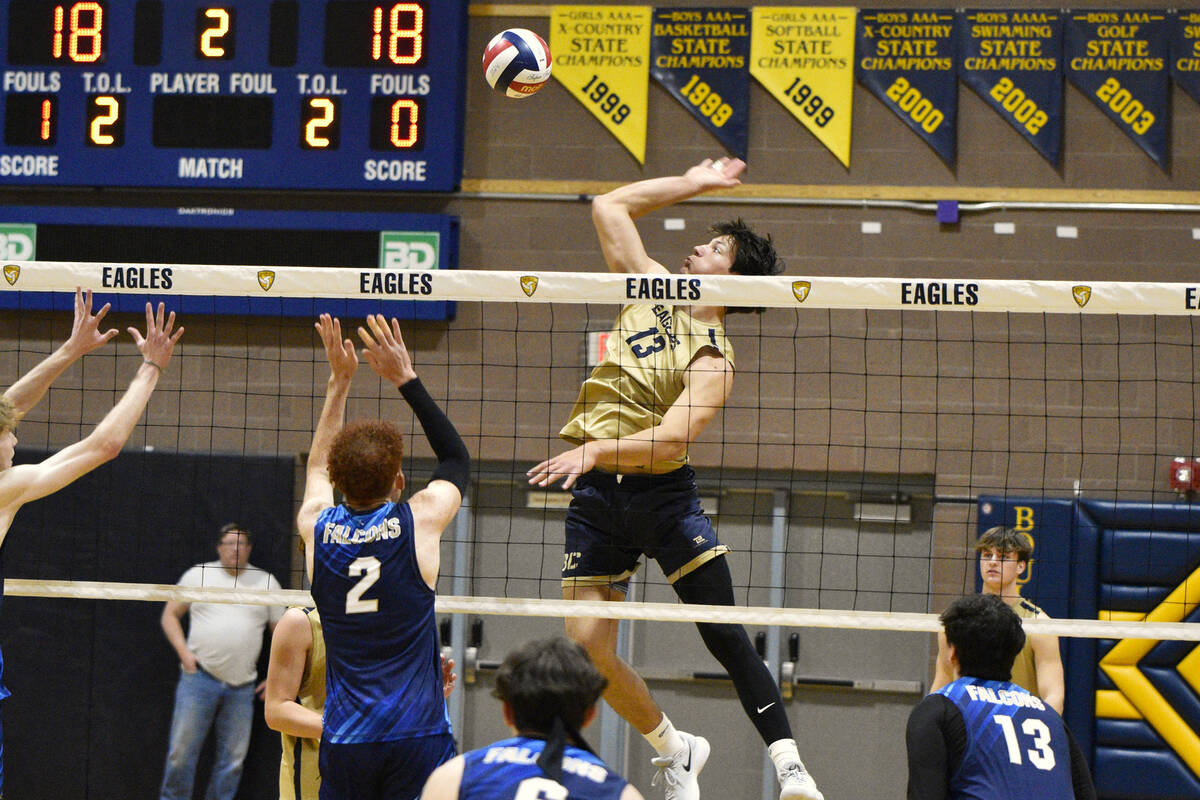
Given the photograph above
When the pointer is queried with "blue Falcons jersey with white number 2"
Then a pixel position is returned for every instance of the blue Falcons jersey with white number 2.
(383, 672)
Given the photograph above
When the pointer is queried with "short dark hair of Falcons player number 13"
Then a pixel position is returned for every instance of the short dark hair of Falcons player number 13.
(987, 636)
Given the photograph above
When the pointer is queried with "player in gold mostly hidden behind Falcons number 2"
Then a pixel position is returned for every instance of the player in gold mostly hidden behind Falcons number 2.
(296, 699)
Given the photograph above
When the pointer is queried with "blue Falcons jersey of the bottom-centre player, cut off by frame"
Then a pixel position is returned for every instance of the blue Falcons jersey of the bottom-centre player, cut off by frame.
(509, 769)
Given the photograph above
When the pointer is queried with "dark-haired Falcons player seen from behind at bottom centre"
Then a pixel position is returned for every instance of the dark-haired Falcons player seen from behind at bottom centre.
(549, 690)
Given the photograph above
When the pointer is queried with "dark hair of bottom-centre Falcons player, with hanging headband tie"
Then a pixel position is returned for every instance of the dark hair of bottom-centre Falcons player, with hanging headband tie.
(550, 684)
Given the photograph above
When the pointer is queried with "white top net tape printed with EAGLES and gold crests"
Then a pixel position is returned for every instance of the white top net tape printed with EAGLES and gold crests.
(490, 286)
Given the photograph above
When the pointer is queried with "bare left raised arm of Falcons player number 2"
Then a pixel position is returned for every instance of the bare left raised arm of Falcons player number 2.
(319, 491)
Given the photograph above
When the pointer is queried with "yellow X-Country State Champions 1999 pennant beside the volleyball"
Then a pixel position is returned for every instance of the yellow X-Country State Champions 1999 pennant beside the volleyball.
(602, 55)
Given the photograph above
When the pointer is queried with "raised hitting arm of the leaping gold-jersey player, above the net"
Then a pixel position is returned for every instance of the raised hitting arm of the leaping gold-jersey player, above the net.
(614, 214)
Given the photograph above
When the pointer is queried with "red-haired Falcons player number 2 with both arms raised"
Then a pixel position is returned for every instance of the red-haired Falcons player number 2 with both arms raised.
(374, 564)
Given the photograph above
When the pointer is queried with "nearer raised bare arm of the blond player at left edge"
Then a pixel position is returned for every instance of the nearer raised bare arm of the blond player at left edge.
(28, 483)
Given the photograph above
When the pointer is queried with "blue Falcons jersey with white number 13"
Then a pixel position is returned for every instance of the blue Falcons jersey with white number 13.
(1017, 745)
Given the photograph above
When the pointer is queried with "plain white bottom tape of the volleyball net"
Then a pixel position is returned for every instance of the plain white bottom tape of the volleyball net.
(631, 611)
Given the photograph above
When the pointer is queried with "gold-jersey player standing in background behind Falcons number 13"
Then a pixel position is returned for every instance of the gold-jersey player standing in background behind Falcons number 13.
(1004, 557)
